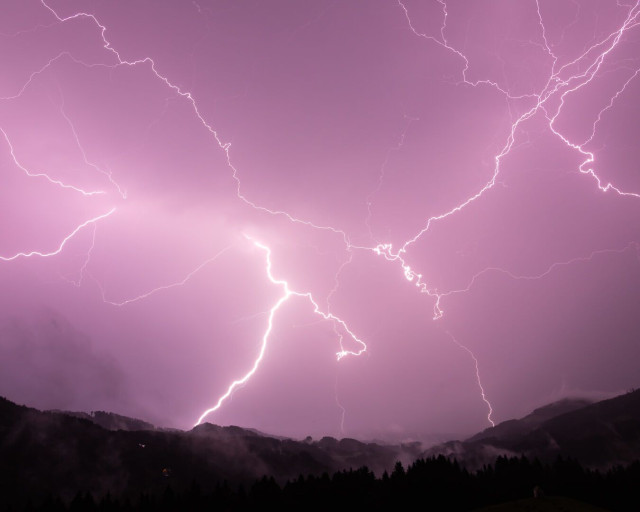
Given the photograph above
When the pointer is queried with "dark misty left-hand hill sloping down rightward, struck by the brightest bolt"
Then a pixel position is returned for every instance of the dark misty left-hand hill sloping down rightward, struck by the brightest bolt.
(63, 453)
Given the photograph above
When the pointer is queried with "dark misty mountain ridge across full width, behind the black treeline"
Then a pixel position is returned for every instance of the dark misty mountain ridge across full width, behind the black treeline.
(58, 453)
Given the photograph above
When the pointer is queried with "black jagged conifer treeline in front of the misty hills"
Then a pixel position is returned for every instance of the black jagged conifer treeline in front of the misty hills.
(436, 483)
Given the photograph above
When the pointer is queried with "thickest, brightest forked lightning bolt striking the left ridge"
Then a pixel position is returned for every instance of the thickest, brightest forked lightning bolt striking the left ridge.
(287, 293)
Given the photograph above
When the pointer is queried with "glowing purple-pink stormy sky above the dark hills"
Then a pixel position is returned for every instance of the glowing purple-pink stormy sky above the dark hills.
(154, 153)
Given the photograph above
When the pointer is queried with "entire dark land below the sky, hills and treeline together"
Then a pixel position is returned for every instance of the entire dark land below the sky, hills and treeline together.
(71, 461)
